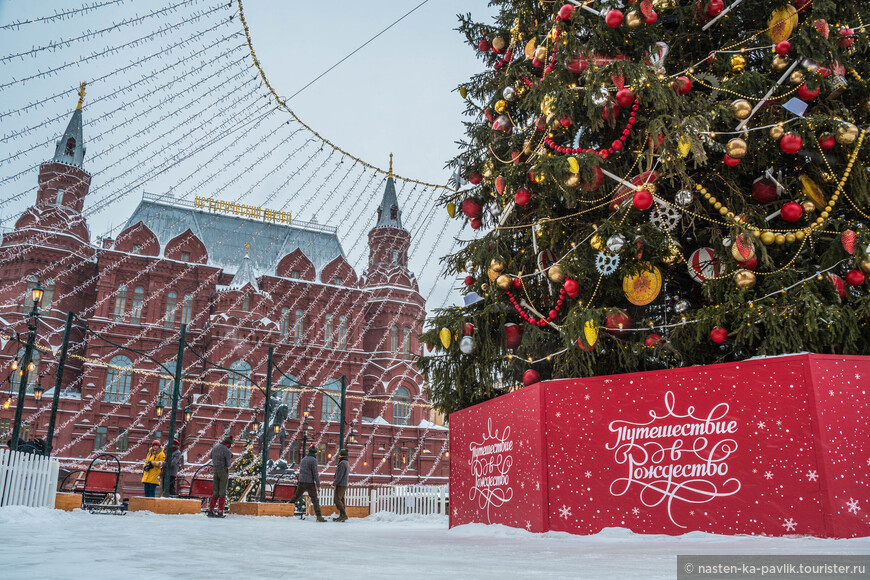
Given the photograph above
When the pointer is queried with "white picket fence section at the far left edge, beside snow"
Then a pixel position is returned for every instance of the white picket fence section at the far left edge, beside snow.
(27, 479)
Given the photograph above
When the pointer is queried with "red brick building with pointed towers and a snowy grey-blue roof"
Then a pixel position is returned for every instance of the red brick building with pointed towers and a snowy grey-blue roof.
(240, 285)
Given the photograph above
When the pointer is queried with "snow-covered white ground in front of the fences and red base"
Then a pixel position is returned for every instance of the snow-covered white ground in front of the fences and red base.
(44, 543)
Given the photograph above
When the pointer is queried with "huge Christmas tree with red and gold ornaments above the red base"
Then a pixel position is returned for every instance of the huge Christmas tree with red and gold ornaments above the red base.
(657, 184)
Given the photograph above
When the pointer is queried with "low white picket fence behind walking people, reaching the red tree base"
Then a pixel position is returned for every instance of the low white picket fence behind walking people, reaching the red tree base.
(399, 499)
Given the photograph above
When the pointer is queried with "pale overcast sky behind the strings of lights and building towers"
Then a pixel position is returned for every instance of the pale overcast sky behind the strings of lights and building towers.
(154, 126)
